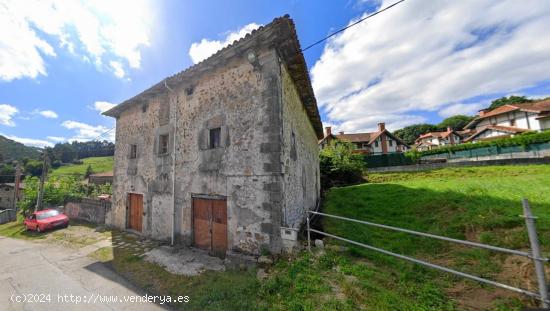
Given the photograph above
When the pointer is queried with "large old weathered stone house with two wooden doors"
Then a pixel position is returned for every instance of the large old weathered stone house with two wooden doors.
(222, 155)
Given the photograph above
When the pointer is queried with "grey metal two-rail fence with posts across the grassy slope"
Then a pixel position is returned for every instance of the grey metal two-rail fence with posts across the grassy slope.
(534, 254)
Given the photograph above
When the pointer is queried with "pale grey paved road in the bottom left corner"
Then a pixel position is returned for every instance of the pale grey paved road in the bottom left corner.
(40, 268)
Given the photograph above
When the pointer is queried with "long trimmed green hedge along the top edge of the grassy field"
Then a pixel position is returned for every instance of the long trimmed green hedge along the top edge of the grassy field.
(523, 140)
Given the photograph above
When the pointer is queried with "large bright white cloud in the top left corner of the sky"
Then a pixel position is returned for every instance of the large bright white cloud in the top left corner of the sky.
(99, 31)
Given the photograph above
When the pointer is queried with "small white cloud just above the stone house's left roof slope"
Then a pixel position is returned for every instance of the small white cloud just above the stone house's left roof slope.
(203, 49)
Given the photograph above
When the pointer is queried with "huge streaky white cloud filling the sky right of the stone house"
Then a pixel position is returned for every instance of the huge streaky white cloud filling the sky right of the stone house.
(431, 56)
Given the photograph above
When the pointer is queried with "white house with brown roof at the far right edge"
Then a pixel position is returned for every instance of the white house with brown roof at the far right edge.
(509, 120)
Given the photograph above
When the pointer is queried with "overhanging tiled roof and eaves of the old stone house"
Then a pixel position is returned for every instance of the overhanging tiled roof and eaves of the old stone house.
(281, 34)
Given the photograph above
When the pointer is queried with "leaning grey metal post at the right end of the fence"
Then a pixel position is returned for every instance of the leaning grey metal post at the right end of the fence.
(535, 252)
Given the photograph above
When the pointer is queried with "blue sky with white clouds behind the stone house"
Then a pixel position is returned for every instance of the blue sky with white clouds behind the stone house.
(60, 64)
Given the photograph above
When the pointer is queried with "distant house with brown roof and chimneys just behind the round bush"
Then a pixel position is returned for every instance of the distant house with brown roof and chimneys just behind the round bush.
(379, 142)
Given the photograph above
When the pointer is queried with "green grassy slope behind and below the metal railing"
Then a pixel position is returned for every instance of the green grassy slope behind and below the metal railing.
(478, 204)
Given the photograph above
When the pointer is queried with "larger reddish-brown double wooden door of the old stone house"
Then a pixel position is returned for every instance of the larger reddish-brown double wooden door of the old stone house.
(210, 225)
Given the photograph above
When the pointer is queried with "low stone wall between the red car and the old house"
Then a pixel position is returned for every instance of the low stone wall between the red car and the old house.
(89, 210)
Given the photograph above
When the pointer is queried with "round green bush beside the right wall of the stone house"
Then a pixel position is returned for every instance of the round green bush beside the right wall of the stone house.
(340, 166)
